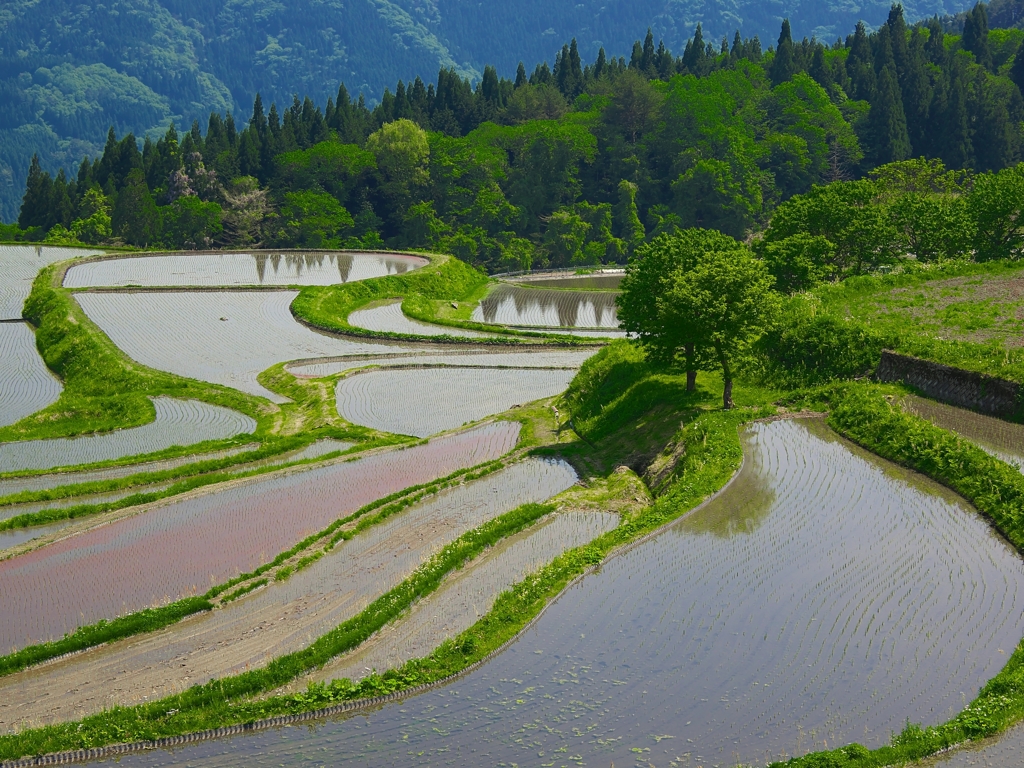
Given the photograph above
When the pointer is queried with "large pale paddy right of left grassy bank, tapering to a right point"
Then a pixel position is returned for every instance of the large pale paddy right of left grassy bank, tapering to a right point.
(221, 337)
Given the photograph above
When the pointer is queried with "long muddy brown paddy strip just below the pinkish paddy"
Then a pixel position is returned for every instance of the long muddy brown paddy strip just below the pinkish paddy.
(283, 617)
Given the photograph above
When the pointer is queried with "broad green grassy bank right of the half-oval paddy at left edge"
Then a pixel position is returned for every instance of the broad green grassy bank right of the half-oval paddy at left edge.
(103, 389)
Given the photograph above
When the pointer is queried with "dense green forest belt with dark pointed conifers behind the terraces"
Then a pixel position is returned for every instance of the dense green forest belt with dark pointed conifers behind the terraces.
(579, 164)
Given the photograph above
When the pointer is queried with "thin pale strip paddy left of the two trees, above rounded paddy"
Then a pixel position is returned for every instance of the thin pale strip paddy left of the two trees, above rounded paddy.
(569, 359)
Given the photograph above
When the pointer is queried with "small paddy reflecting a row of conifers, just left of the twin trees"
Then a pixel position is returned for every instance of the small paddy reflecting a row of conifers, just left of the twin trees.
(513, 306)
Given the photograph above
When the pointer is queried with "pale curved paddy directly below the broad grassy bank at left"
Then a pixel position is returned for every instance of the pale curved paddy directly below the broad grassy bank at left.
(178, 423)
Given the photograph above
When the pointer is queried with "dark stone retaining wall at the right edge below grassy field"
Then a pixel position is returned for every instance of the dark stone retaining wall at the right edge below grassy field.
(979, 393)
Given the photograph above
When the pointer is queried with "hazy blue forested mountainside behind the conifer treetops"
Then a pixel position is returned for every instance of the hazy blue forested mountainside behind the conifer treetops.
(69, 71)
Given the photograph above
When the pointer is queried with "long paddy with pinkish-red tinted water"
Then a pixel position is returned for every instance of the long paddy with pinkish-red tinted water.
(183, 547)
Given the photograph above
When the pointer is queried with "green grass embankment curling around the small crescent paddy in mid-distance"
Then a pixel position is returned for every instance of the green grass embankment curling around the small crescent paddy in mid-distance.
(445, 280)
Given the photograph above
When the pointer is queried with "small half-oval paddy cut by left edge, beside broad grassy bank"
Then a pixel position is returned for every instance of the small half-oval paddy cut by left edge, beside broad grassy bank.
(26, 383)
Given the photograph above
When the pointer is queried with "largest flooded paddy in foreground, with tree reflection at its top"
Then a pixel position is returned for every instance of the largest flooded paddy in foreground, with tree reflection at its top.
(826, 596)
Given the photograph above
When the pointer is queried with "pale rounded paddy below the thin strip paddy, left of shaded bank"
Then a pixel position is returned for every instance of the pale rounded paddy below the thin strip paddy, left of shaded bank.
(425, 402)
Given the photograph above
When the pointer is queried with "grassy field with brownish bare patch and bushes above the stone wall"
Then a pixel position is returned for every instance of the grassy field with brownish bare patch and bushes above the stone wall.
(963, 315)
